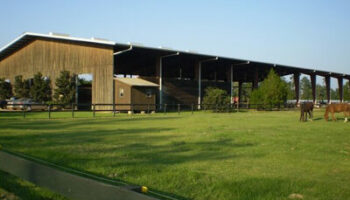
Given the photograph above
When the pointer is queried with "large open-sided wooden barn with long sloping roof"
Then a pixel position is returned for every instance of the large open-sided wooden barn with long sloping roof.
(181, 76)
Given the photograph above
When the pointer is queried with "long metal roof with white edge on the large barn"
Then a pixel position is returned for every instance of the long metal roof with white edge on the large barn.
(28, 37)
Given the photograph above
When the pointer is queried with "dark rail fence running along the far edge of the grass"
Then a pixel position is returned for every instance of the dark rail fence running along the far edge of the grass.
(142, 108)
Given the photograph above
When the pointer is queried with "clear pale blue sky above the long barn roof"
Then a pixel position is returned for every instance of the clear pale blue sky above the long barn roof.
(311, 34)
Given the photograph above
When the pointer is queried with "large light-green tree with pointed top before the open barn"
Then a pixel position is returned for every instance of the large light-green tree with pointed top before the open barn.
(273, 90)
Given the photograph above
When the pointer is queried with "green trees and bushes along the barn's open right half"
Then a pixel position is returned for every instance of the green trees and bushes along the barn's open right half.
(274, 90)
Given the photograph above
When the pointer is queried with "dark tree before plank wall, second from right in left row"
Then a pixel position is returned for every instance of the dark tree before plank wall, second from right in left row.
(40, 90)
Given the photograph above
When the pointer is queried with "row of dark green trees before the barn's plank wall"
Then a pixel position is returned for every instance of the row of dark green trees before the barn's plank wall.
(39, 88)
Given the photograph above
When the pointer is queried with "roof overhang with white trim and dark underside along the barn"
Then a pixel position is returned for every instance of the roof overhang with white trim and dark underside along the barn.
(28, 37)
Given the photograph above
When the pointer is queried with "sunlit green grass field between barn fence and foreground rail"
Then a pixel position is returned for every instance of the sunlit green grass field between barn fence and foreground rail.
(246, 155)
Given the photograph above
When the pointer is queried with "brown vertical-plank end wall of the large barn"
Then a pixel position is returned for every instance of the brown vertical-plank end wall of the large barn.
(50, 57)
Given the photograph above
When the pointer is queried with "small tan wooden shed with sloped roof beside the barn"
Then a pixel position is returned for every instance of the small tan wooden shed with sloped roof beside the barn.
(137, 94)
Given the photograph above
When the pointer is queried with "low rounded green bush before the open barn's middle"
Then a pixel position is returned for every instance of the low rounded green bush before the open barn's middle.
(215, 99)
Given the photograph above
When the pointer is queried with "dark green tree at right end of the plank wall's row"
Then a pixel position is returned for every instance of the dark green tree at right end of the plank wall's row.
(65, 88)
